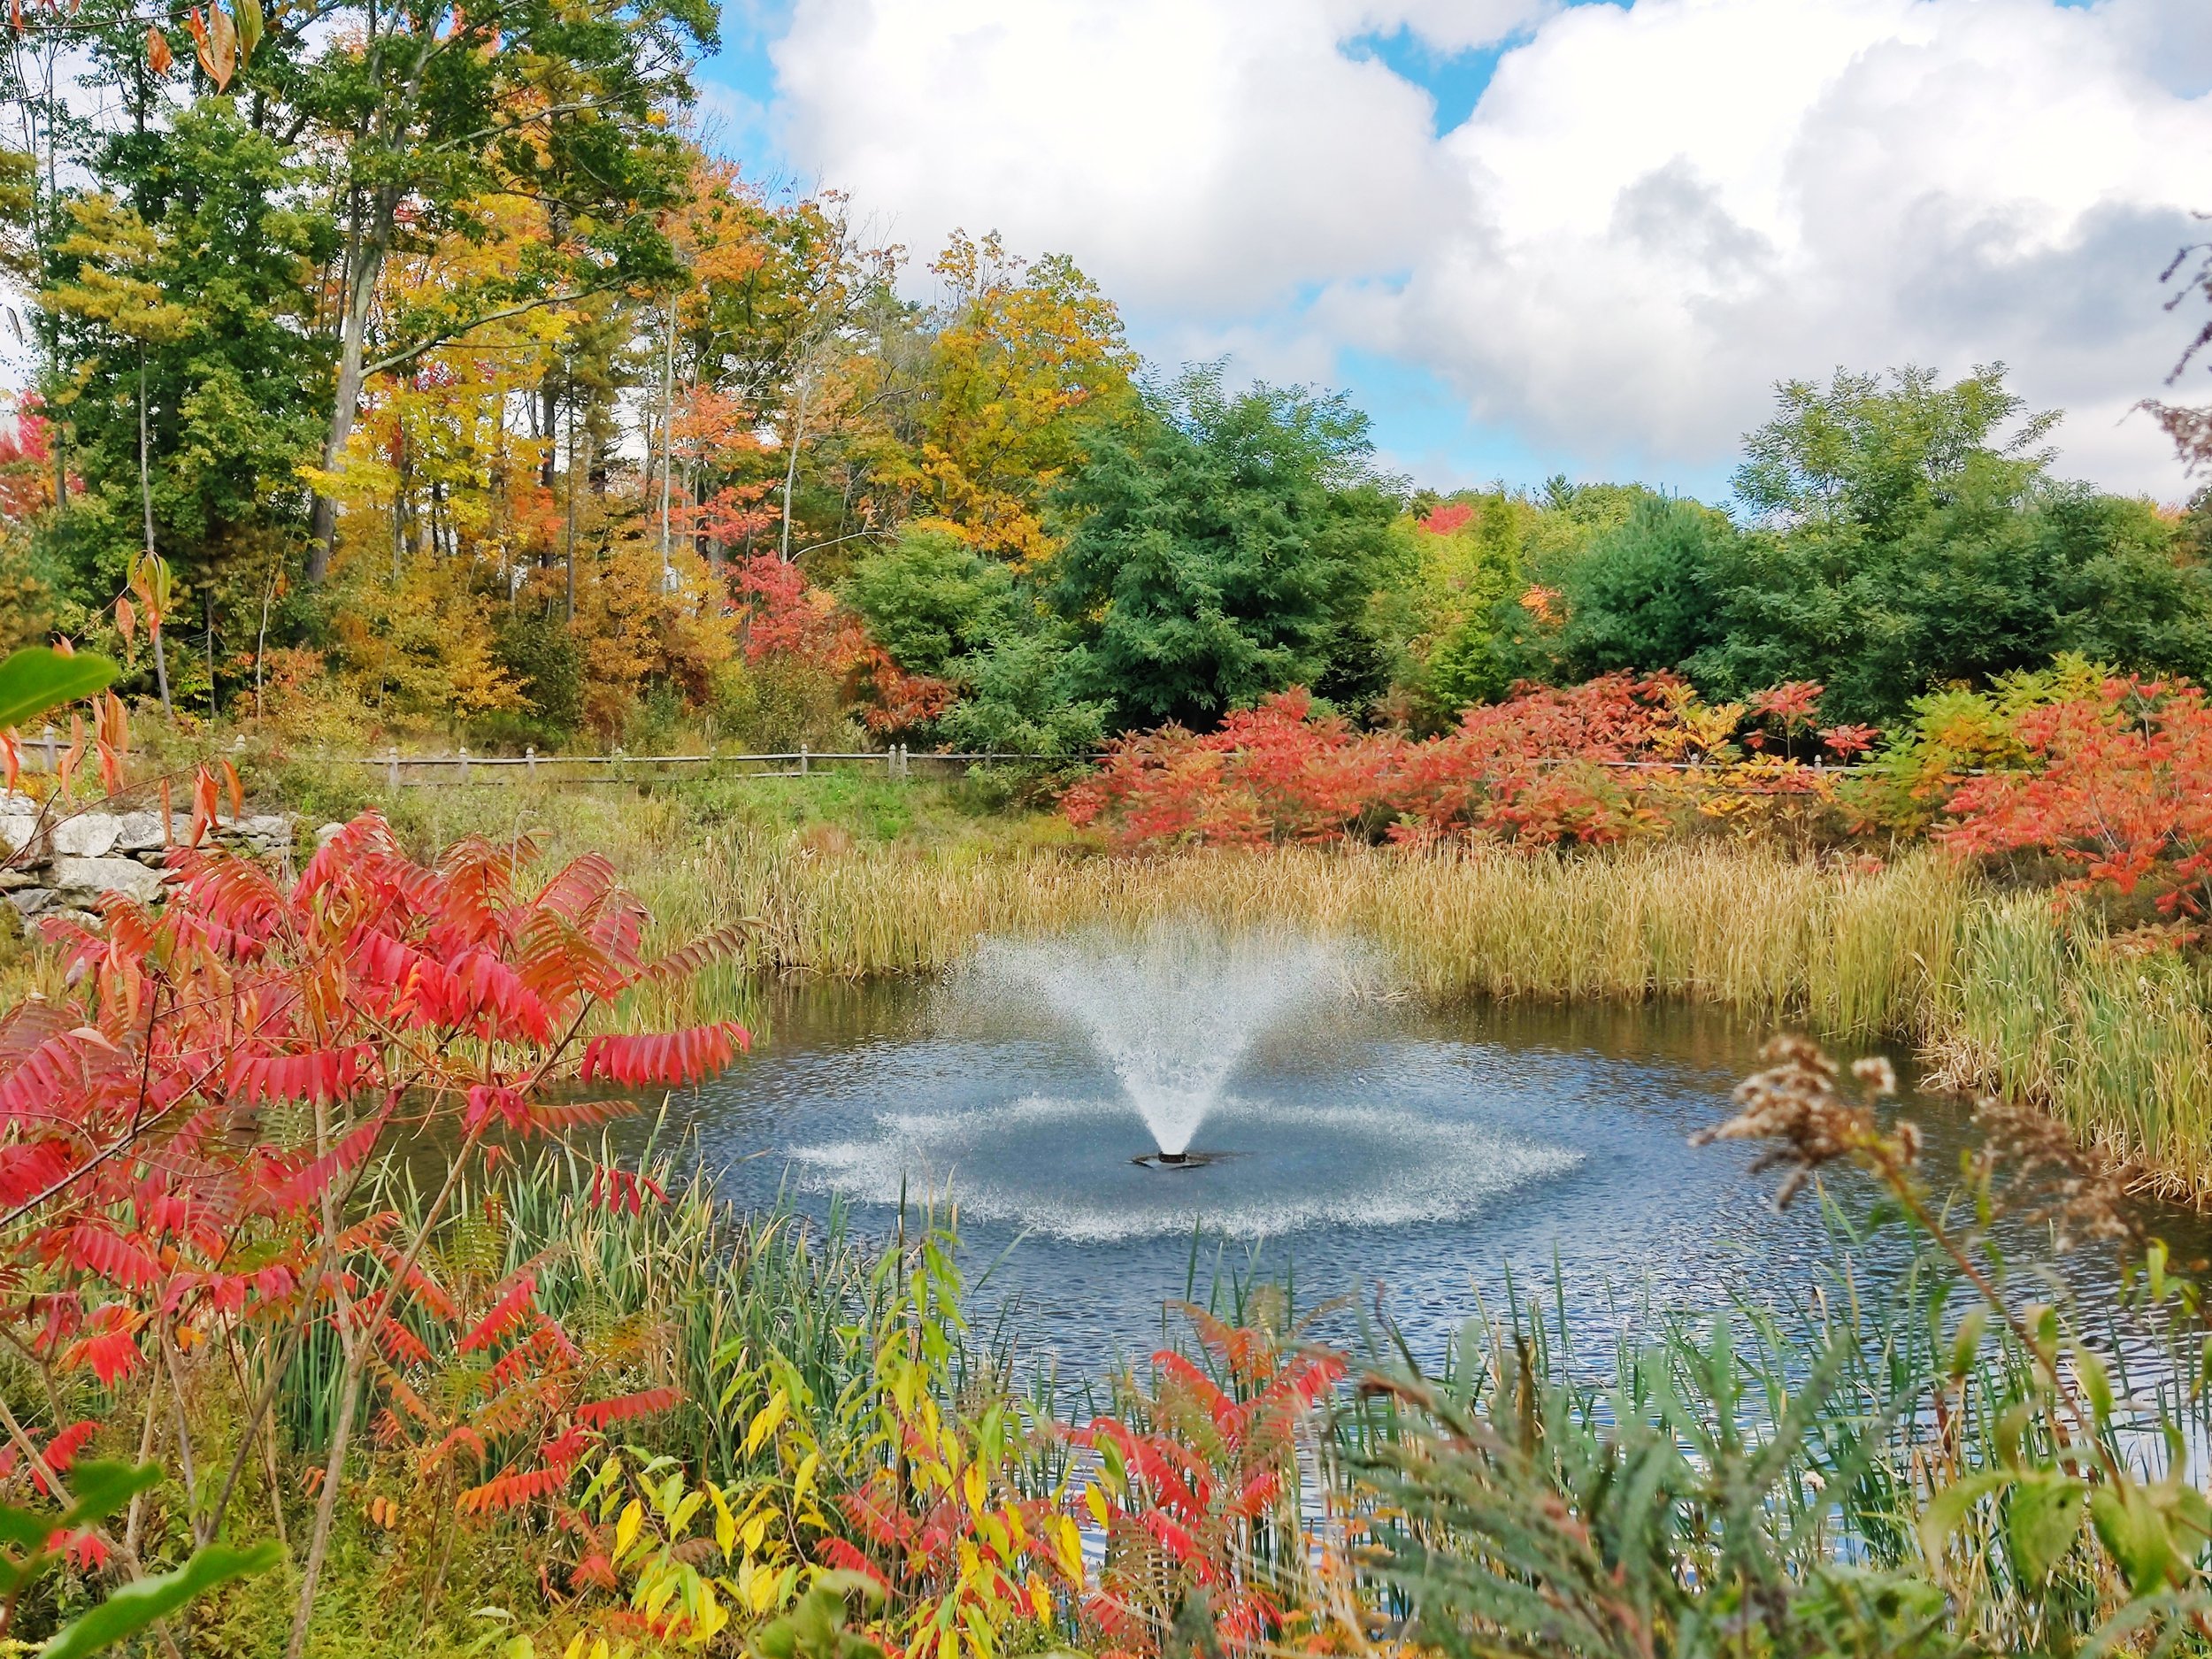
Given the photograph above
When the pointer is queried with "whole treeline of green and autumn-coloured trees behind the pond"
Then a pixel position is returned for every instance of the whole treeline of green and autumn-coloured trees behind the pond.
(424, 379)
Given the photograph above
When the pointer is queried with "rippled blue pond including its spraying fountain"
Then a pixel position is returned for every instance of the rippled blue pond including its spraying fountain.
(1353, 1142)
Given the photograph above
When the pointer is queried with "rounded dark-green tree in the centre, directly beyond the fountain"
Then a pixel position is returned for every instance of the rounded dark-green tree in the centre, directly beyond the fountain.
(1222, 547)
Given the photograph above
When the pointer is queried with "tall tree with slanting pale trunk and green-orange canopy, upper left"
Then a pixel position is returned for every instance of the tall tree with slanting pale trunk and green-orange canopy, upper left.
(437, 116)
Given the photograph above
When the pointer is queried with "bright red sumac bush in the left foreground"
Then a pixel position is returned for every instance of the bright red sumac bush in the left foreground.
(213, 1092)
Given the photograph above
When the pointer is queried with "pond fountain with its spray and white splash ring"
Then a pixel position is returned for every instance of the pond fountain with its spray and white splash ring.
(1140, 1085)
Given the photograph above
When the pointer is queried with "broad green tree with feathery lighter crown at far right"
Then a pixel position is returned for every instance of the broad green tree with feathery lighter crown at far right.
(1910, 536)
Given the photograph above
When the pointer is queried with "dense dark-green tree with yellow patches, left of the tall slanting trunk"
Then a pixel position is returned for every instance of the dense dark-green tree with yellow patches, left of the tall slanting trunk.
(194, 388)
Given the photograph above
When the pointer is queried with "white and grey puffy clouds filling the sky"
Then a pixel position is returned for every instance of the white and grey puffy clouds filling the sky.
(1651, 216)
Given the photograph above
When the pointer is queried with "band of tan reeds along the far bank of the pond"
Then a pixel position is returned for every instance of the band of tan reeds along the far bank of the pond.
(1996, 990)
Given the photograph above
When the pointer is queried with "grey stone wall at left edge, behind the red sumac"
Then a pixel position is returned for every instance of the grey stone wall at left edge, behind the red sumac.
(65, 864)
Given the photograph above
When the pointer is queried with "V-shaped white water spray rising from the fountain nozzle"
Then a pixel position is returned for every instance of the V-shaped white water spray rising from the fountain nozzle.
(1173, 1010)
